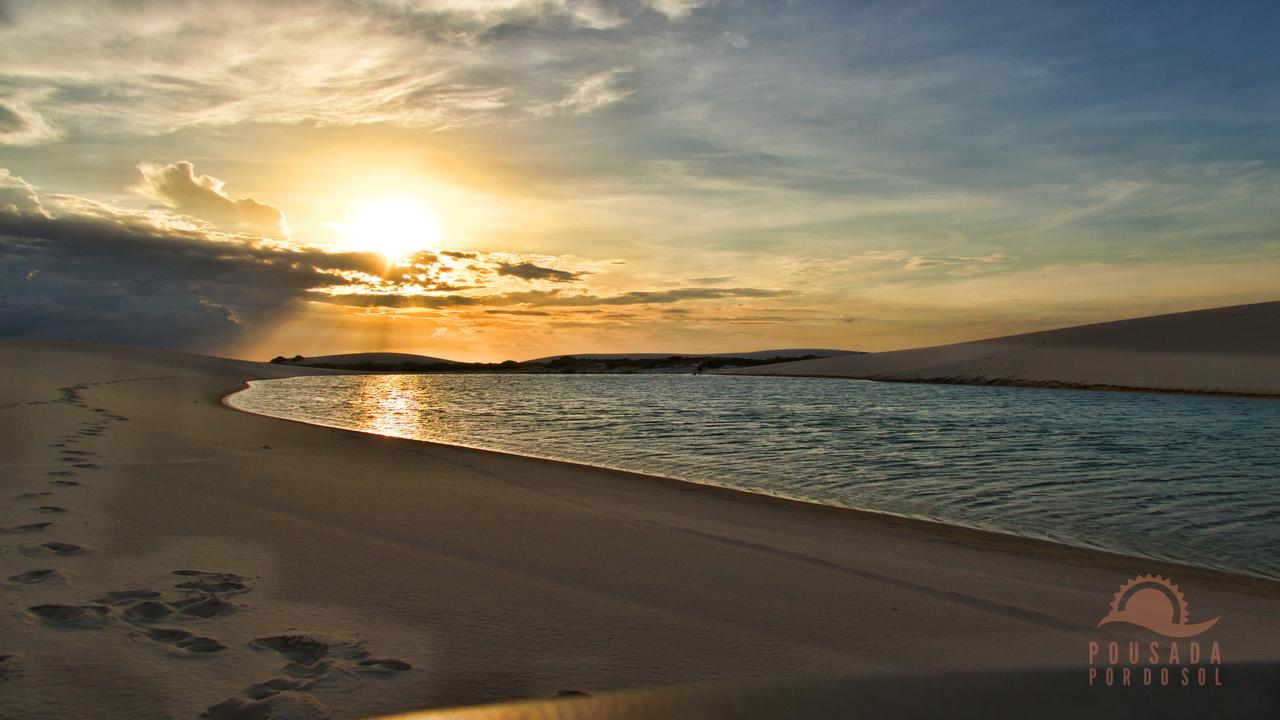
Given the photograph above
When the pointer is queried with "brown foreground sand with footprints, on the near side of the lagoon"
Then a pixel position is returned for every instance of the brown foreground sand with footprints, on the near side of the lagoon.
(167, 557)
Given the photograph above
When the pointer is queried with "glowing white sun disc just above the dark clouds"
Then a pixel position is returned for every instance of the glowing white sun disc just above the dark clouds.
(394, 227)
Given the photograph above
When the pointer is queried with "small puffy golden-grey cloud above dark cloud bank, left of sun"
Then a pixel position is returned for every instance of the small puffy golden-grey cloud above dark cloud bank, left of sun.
(177, 186)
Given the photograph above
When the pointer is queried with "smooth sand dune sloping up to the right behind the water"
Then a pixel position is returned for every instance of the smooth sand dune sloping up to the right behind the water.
(1223, 350)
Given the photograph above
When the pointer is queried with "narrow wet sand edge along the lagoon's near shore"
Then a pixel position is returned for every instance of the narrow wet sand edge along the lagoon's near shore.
(979, 537)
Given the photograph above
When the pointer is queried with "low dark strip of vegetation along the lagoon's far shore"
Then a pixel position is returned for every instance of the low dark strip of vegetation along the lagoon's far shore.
(566, 364)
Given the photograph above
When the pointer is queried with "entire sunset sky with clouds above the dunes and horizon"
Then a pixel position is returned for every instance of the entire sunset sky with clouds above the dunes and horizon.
(515, 179)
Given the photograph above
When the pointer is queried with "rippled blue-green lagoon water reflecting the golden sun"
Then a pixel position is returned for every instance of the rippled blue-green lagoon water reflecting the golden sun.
(1183, 479)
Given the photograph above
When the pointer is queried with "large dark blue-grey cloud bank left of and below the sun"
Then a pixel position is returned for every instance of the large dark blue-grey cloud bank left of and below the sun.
(112, 276)
